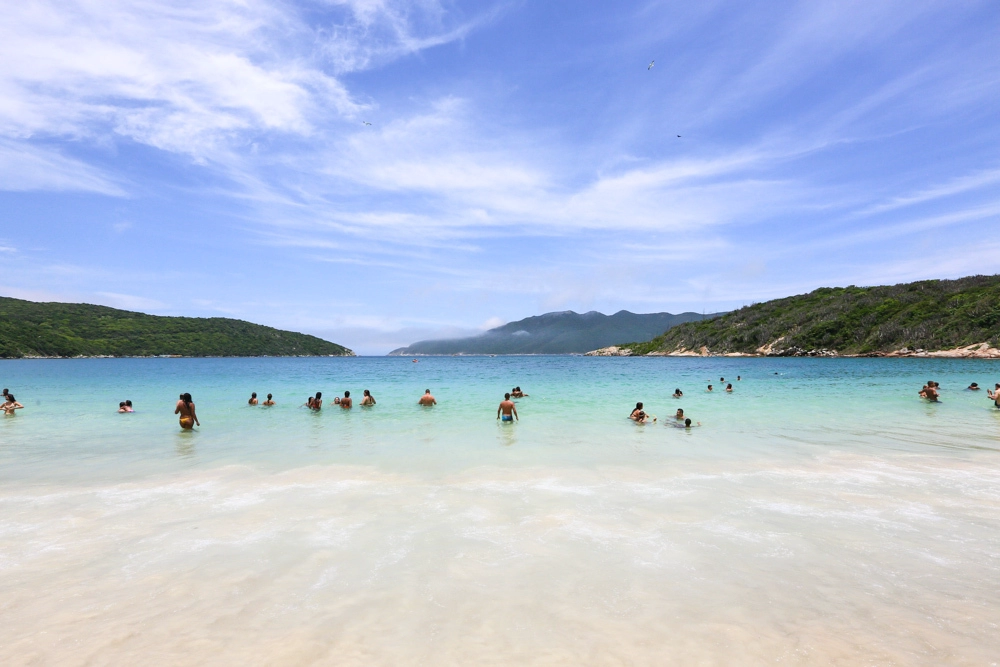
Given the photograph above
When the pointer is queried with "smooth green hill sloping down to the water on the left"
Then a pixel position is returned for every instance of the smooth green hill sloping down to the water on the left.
(29, 329)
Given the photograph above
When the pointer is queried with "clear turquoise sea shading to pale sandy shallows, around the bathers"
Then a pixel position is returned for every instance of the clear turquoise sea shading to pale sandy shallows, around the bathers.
(820, 514)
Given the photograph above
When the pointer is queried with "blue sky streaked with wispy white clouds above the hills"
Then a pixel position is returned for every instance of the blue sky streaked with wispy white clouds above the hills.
(211, 158)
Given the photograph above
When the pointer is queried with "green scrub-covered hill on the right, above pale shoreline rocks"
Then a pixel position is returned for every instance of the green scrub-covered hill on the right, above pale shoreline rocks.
(928, 315)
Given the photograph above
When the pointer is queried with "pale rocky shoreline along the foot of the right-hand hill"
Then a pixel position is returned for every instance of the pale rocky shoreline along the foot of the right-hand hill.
(974, 351)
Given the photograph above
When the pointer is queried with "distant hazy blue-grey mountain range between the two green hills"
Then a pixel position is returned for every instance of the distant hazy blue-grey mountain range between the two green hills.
(557, 333)
